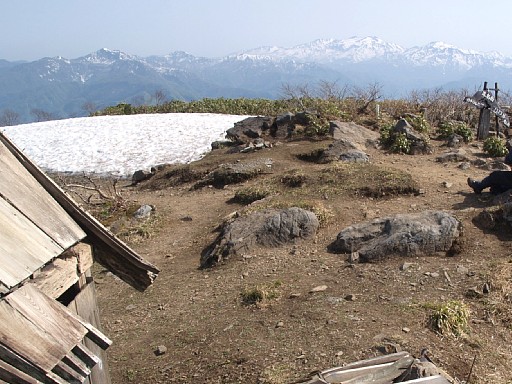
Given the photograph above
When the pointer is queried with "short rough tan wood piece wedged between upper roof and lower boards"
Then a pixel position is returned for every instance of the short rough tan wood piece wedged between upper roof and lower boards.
(57, 277)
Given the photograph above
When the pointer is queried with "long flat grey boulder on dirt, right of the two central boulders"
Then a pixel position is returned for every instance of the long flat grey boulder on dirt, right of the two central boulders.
(419, 234)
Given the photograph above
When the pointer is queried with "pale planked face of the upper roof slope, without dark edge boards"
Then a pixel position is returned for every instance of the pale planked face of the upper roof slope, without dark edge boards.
(35, 229)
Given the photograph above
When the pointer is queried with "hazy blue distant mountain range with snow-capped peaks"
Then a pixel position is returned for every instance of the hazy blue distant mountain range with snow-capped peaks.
(106, 77)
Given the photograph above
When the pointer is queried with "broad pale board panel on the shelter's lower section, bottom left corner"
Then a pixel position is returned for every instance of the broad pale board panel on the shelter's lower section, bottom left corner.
(38, 328)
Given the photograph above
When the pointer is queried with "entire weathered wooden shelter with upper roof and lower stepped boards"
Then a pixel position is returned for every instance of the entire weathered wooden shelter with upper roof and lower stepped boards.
(41, 229)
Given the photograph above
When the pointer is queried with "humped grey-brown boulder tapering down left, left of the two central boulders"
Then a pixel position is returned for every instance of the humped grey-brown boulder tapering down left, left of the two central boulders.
(269, 228)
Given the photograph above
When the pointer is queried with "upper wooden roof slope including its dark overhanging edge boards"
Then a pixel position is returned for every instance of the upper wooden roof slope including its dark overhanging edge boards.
(38, 221)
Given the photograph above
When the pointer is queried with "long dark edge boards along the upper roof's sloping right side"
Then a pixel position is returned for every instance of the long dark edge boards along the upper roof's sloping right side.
(113, 253)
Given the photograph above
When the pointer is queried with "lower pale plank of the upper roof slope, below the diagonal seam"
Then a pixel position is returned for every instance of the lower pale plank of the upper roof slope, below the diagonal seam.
(23, 247)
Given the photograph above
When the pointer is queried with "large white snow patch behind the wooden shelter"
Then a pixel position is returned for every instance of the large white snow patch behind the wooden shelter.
(119, 145)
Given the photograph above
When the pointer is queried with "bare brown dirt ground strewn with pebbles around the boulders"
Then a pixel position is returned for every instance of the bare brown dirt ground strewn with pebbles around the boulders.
(211, 336)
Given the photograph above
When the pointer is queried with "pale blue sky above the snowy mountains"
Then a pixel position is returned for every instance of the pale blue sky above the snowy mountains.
(32, 29)
